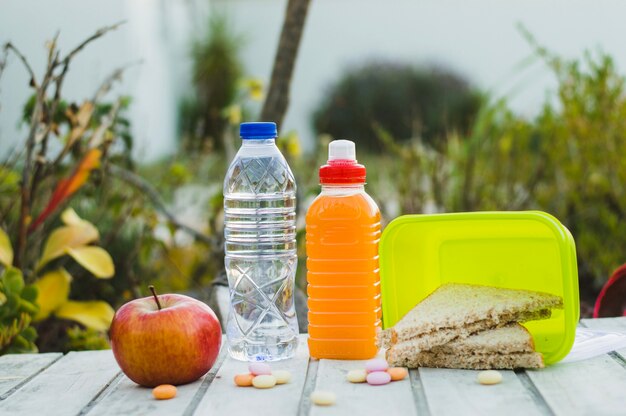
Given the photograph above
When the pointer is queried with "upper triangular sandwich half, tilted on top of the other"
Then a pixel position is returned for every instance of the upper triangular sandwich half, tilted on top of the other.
(458, 310)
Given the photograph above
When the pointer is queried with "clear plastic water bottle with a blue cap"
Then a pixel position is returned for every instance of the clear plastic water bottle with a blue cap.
(261, 259)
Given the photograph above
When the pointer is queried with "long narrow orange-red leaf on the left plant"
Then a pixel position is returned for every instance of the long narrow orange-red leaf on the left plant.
(66, 187)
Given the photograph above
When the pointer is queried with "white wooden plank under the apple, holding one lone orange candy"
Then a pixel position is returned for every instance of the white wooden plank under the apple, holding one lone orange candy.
(128, 398)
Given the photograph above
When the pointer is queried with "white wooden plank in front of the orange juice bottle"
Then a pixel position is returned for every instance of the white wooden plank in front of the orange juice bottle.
(395, 398)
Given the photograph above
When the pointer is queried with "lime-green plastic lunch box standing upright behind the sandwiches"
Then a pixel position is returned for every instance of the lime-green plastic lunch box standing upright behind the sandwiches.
(529, 250)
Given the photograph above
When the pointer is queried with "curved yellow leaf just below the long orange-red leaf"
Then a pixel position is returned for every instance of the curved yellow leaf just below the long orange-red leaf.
(64, 238)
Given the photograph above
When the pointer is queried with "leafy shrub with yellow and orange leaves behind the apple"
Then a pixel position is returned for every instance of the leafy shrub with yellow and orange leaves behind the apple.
(79, 154)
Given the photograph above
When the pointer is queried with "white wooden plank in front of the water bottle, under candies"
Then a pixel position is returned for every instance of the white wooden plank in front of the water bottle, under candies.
(224, 398)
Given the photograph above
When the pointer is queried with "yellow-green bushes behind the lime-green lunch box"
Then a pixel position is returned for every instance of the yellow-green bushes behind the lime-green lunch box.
(567, 161)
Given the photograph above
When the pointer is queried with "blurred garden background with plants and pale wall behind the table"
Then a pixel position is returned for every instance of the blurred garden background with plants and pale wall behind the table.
(454, 106)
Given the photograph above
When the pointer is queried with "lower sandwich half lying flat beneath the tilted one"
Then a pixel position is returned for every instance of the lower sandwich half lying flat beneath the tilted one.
(510, 346)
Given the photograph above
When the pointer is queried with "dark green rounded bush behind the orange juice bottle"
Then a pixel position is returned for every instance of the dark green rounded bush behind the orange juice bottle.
(404, 101)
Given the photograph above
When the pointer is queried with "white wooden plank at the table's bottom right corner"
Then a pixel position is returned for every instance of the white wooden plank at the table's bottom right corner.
(590, 387)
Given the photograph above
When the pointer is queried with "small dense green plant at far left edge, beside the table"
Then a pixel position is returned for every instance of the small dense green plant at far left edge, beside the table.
(17, 310)
